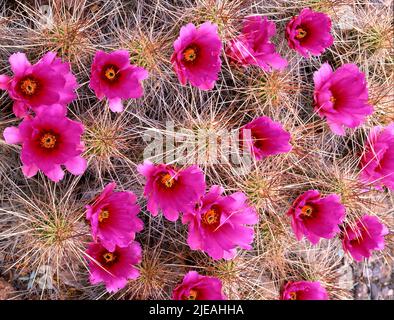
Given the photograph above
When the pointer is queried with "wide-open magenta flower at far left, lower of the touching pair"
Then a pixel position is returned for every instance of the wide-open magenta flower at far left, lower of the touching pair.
(49, 140)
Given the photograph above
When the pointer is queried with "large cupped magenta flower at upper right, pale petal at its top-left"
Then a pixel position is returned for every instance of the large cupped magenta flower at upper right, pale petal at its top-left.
(341, 96)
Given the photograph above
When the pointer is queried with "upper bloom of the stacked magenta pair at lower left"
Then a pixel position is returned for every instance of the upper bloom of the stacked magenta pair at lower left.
(113, 217)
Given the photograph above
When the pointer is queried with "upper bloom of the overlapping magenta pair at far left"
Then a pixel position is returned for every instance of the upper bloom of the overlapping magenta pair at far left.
(46, 83)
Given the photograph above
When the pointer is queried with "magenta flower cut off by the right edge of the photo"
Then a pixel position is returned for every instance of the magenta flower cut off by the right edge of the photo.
(378, 159)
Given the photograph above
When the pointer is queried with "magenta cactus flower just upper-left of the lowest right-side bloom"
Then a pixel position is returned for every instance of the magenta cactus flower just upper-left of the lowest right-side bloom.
(315, 217)
